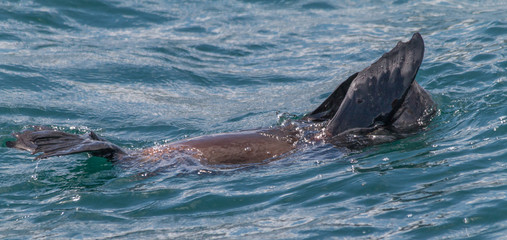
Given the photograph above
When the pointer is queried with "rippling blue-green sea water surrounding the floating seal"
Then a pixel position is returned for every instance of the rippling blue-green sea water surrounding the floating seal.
(142, 73)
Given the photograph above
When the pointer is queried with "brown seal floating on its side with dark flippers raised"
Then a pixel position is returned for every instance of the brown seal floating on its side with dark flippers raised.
(381, 103)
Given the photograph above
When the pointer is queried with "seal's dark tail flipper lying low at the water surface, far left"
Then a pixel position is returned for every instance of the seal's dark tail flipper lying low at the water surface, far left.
(55, 143)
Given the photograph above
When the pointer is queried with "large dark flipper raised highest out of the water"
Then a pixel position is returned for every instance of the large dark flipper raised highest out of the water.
(379, 90)
